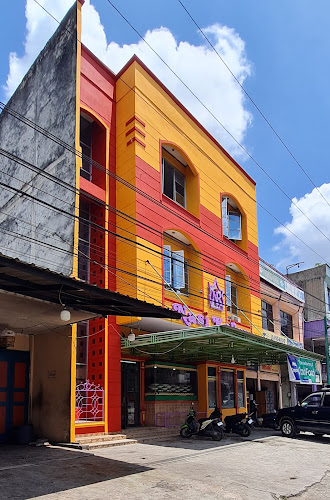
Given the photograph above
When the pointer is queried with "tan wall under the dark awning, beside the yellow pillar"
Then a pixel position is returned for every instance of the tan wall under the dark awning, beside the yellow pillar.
(50, 387)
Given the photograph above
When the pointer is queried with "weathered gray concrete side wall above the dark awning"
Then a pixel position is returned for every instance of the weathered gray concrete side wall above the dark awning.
(29, 229)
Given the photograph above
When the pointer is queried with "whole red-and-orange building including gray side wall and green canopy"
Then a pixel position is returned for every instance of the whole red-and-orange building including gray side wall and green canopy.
(154, 208)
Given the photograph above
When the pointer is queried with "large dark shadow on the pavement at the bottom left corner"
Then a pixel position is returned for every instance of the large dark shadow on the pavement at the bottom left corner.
(28, 472)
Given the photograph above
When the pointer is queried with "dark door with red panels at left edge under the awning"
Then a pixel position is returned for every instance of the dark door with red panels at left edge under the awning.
(14, 391)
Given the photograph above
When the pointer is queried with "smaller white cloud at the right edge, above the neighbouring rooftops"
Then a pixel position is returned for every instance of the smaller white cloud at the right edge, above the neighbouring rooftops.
(315, 207)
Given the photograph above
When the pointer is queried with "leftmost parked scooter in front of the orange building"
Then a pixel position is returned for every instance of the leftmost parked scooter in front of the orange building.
(208, 427)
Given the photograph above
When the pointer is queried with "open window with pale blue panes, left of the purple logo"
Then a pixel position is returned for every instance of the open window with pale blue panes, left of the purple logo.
(175, 269)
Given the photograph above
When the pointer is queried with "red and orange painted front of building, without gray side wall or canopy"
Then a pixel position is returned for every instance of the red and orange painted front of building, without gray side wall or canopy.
(174, 223)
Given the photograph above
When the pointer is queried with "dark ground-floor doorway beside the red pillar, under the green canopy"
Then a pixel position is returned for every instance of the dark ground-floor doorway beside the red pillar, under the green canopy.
(130, 394)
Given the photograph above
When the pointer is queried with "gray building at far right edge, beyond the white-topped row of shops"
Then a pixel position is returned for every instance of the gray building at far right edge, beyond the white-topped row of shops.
(316, 284)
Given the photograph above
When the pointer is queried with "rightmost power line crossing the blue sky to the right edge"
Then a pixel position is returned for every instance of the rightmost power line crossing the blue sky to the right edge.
(253, 102)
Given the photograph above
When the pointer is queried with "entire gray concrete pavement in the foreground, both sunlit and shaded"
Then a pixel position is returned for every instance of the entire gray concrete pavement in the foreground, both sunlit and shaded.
(266, 467)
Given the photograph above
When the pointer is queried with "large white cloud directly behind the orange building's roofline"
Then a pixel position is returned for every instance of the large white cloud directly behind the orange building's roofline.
(197, 65)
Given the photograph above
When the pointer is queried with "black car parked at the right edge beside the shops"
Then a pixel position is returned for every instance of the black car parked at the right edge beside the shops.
(312, 414)
